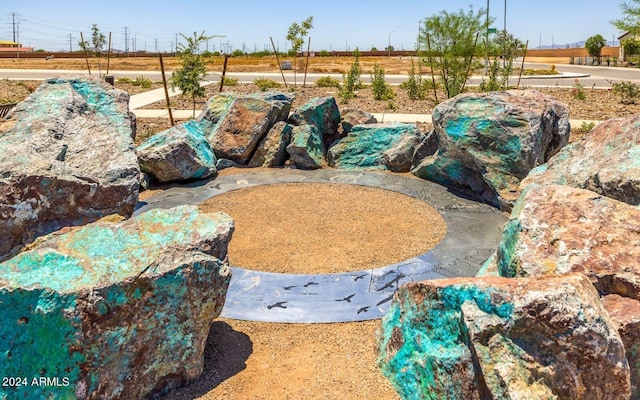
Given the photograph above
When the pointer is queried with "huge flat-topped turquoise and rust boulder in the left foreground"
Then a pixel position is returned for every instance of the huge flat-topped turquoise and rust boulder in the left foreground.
(119, 310)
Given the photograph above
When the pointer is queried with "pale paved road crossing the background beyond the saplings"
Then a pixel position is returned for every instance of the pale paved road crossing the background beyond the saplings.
(588, 76)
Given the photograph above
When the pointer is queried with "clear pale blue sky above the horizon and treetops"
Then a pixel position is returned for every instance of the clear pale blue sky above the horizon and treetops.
(338, 25)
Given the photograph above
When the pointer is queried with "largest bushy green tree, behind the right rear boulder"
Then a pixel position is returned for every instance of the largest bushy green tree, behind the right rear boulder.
(450, 40)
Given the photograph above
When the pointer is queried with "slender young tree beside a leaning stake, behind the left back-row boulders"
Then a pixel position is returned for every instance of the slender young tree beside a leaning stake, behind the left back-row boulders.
(193, 69)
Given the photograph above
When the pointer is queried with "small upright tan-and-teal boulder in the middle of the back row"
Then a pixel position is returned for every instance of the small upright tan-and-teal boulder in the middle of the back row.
(306, 149)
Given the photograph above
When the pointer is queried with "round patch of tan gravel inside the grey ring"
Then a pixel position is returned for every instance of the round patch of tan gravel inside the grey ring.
(321, 228)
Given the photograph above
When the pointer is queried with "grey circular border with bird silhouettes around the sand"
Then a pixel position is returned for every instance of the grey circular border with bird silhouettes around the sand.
(473, 233)
